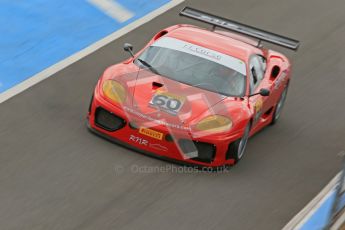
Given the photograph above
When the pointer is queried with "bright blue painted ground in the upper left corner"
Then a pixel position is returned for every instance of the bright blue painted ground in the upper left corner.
(38, 33)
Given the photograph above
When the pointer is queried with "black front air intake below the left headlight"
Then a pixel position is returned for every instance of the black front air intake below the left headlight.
(108, 121)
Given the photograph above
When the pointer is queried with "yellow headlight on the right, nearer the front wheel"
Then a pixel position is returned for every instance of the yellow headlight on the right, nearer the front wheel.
(214, 123)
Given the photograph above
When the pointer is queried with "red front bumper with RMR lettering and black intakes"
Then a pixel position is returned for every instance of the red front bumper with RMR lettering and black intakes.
(173, 149)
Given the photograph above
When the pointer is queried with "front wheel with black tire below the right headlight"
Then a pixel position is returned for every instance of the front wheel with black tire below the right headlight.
(237, 149)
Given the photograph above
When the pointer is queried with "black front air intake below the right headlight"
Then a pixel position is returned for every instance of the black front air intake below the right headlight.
(205, 151)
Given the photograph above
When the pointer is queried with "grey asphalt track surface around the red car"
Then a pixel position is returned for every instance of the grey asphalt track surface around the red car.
(54, 174)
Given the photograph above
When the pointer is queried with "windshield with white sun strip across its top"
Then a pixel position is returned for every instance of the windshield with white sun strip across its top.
(196, 66)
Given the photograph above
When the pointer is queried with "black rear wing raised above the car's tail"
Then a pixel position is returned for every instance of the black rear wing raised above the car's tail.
(228, 24)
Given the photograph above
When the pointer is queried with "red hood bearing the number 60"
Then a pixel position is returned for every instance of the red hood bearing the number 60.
(161, 98)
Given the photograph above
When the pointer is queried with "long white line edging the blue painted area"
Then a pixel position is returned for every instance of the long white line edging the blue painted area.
(83, 53)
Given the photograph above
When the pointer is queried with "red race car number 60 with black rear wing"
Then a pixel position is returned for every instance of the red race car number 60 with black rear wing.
(192, 95)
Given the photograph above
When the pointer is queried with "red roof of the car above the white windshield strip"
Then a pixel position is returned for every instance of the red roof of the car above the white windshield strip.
(215, 41)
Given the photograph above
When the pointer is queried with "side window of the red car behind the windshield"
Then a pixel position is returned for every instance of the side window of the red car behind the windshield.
(257, 71)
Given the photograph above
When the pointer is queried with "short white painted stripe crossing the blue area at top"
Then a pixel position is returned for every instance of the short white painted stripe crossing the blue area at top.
(113, 9)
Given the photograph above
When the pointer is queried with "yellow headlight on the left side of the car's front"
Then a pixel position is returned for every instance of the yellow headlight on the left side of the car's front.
(114, 91)
